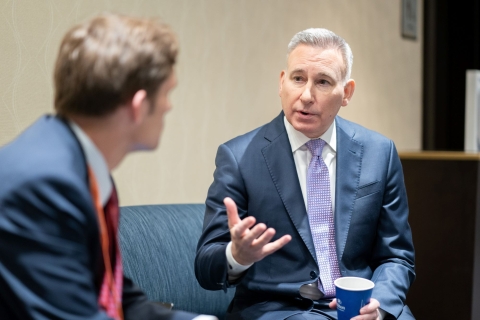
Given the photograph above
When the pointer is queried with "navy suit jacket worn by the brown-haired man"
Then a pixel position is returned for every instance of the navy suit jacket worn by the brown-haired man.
(50, 255)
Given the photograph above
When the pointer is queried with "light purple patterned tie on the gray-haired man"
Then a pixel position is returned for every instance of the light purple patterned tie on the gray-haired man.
(320, 216)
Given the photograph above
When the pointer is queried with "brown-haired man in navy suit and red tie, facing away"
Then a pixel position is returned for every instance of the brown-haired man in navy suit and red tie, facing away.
(113, 76)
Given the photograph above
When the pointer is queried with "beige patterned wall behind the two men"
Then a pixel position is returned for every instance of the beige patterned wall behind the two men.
(232, 52)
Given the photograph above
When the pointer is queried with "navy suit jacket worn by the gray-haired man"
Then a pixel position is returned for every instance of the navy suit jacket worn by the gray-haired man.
(373, 238)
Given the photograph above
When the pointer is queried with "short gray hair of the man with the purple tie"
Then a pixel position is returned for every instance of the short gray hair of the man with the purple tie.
(326, 39)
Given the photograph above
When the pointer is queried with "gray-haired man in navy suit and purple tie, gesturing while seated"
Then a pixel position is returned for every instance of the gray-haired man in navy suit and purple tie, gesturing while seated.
(257, 236)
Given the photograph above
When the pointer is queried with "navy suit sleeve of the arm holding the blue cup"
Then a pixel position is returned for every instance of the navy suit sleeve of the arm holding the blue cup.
(393, 254)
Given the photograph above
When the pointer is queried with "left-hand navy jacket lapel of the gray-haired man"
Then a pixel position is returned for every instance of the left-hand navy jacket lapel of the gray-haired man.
(280, 163)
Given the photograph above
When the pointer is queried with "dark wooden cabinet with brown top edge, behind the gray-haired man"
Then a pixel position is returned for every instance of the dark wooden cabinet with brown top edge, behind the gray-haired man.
(443, 191)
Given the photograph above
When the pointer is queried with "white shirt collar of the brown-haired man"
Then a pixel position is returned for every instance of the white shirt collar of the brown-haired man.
(96, 161)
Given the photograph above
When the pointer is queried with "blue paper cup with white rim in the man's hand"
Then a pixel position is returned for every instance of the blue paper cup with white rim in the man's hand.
(352, 294)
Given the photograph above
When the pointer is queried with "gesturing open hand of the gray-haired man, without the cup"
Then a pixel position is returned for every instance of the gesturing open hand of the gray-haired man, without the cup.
(250, 242)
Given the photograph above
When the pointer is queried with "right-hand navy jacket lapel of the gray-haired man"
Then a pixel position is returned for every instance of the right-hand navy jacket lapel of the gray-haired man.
(349, 163)
